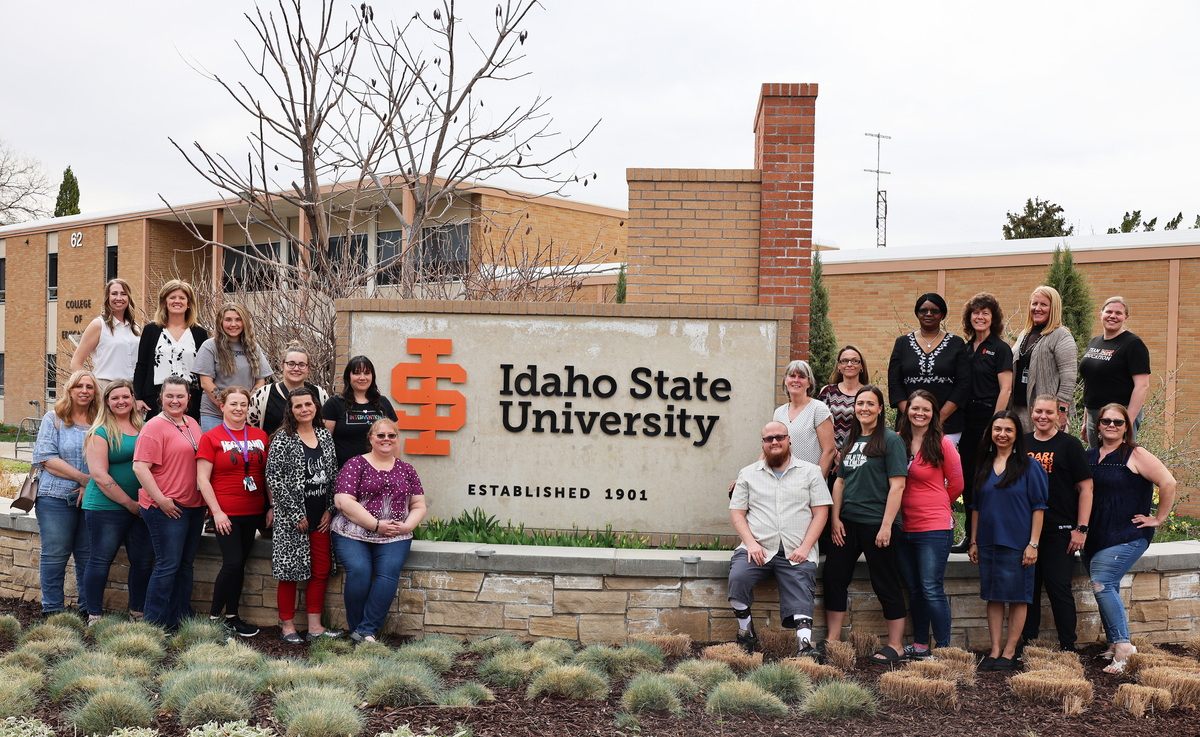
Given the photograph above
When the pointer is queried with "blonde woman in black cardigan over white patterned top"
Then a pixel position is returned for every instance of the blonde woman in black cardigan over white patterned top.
(169, 347)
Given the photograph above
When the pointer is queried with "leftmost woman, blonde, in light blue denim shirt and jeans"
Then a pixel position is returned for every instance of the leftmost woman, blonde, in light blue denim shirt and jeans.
(61, 523)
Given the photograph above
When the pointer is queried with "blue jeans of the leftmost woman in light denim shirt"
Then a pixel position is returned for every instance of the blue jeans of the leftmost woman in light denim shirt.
(64, 535)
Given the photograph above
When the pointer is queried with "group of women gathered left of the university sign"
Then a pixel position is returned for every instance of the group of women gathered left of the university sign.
(172, 427)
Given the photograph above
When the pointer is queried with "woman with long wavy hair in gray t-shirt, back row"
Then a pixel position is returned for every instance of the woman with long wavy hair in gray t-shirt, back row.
(232, 358)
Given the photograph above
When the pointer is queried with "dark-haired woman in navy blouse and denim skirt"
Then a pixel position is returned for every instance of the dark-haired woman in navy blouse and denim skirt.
(1010, 502)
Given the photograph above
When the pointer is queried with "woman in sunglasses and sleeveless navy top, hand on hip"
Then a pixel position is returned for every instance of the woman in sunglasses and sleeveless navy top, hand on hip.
(1123, 523)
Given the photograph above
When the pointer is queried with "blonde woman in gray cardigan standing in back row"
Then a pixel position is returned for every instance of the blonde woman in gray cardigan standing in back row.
(1046, 359)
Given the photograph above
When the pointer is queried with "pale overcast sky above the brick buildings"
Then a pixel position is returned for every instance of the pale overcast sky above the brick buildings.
(1090, 105)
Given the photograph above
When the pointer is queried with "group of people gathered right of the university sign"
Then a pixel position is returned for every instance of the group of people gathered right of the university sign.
(977, 418)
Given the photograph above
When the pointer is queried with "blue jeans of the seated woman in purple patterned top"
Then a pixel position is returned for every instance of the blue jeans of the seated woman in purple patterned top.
(373, 577)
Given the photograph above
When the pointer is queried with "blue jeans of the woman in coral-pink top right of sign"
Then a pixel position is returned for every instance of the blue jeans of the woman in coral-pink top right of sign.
(922, 562)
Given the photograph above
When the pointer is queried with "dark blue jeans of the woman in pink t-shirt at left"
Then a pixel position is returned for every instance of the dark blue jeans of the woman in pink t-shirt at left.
(170, 591)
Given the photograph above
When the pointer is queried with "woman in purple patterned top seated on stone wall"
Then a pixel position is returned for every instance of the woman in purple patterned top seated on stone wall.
(380, 504)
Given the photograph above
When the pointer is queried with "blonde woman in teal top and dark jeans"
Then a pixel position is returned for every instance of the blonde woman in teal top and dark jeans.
(111, 501)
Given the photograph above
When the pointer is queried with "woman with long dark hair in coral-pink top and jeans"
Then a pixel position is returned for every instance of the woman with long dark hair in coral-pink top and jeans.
(935, 480)
